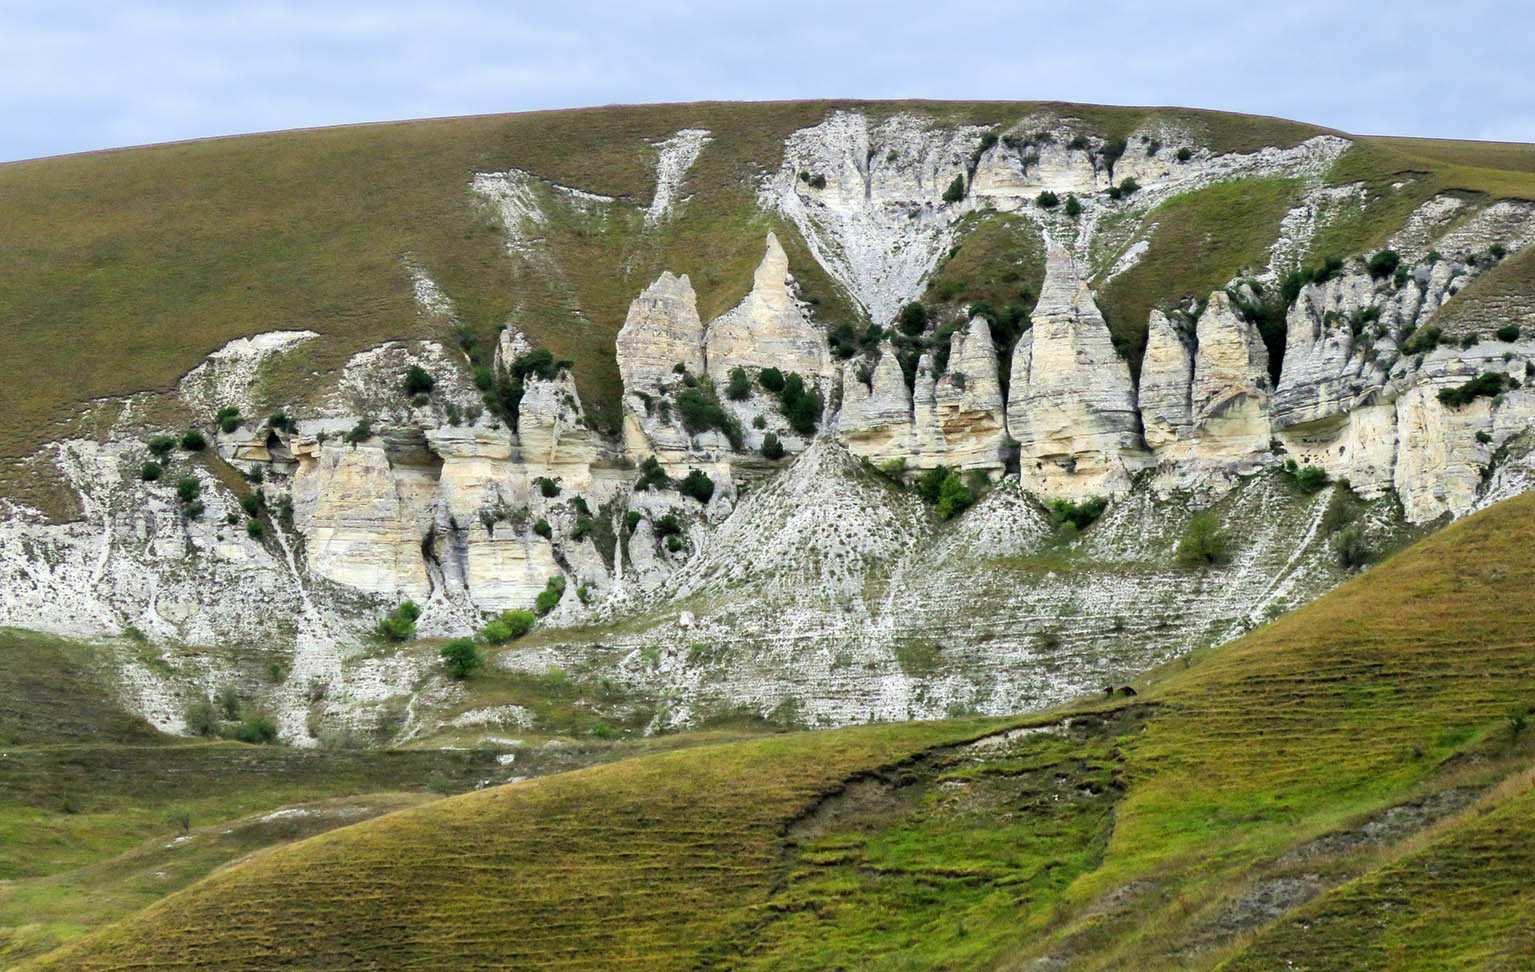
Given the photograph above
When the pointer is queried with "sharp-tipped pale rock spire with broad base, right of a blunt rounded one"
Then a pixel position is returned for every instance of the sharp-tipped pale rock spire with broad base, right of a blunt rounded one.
(768, 329)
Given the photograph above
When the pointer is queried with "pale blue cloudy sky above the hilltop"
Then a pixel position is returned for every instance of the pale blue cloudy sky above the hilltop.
(84, 76)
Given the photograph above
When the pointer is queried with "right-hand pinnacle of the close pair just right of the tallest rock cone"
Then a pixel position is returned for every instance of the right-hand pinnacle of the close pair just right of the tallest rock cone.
(1232, 386)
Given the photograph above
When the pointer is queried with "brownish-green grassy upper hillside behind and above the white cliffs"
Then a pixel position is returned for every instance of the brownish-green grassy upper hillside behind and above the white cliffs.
(134, 265)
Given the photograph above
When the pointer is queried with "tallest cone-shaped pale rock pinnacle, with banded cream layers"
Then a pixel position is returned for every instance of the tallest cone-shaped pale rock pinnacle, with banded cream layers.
(1072, 408)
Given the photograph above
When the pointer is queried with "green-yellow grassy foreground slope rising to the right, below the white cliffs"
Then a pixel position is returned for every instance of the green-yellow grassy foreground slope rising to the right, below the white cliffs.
(1364, 759)
